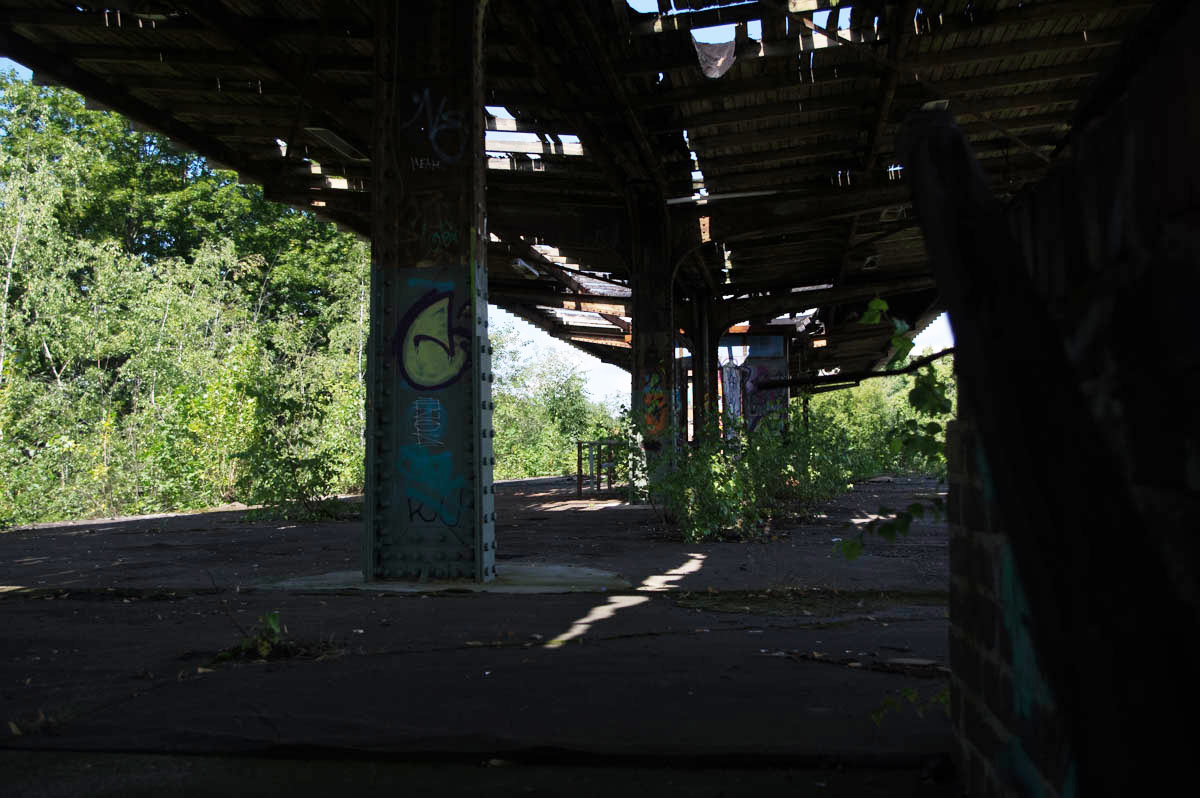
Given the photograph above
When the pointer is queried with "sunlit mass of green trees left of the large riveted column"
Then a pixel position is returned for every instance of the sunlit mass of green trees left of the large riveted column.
(169, 339)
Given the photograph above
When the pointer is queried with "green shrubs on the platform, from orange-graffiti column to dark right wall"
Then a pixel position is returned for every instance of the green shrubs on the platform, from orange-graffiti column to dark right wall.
(737, 485)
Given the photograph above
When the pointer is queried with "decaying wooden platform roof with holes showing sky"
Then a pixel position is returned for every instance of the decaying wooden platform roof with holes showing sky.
(781, 175)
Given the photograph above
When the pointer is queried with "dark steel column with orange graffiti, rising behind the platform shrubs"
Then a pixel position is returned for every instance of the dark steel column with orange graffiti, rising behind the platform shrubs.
(655, 331)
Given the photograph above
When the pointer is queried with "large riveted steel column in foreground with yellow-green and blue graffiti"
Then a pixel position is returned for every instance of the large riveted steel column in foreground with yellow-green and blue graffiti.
(430, 511)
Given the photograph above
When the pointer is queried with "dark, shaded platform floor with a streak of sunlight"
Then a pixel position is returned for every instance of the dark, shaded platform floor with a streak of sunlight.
(778, 662)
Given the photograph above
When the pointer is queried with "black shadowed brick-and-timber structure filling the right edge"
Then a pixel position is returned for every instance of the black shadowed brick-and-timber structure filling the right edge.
(1077, 487)
